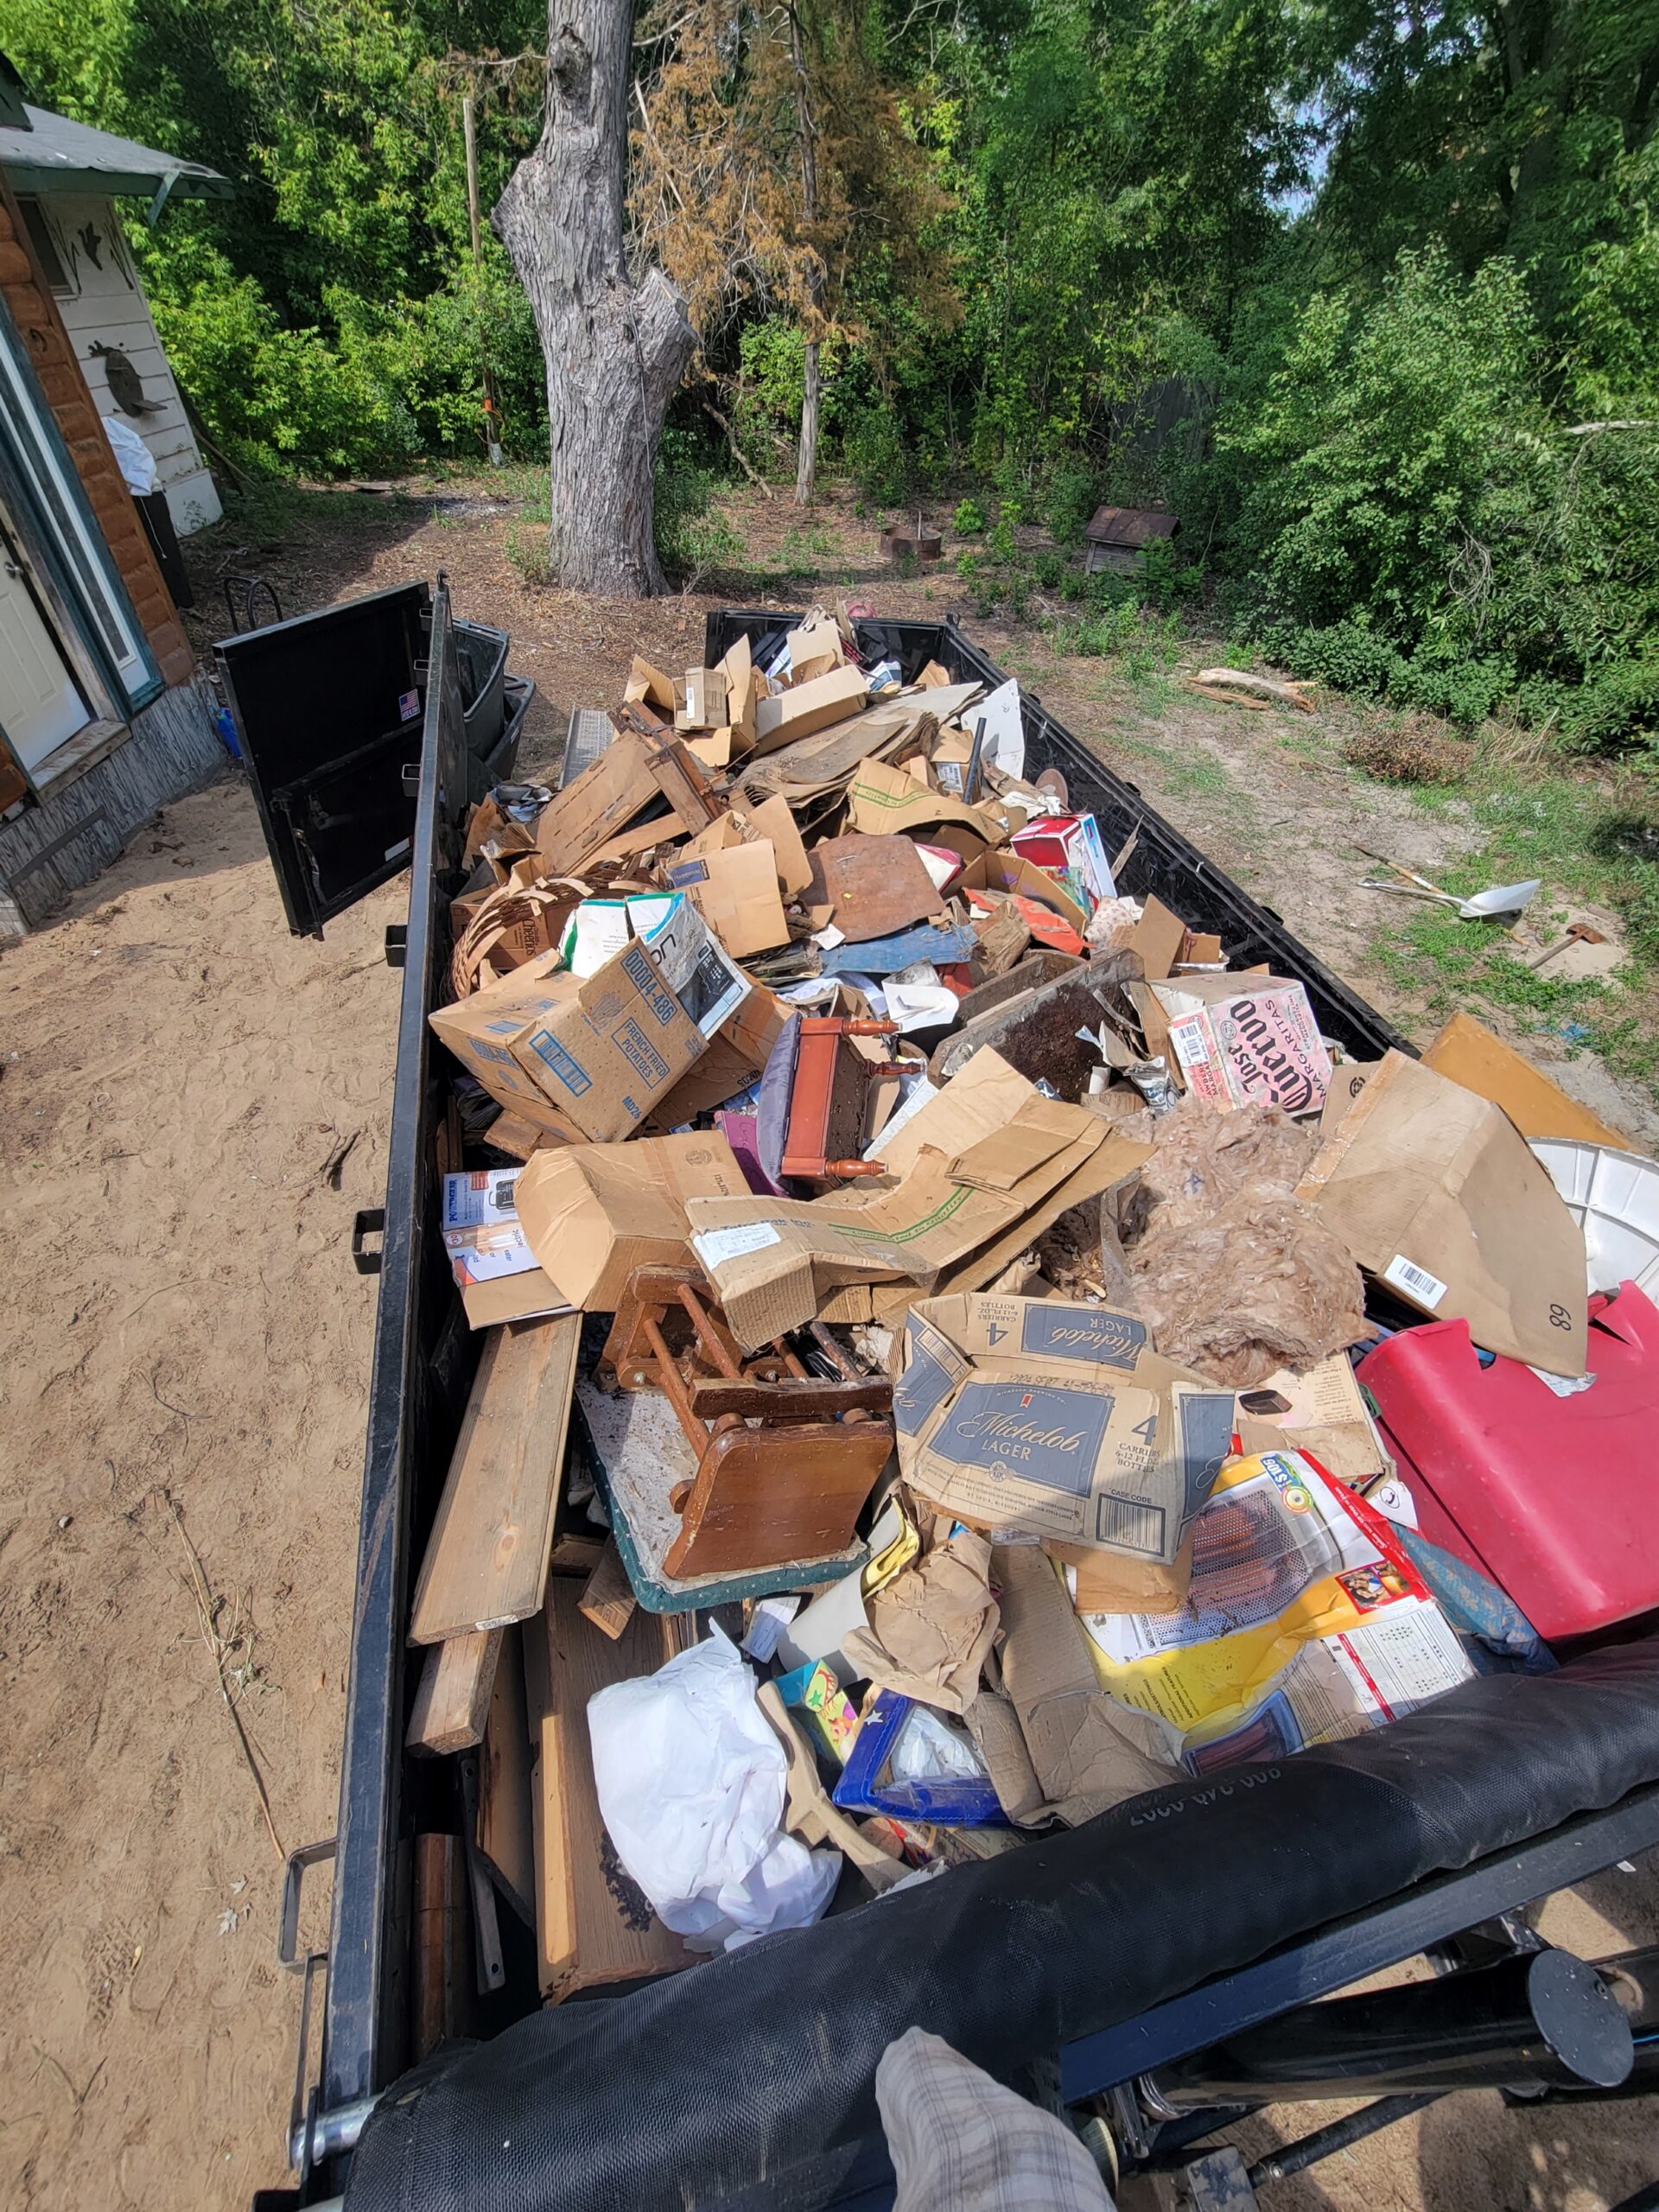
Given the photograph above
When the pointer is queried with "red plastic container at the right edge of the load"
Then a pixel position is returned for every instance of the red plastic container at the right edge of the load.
(1556, 1499)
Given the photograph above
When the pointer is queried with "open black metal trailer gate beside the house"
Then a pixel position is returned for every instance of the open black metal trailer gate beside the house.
(328, 716)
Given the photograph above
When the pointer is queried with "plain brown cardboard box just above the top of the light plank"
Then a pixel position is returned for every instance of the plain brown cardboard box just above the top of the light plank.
(594, 1213)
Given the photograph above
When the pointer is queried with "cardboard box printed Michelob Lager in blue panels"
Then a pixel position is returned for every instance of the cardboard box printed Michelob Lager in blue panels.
(1061, 1421)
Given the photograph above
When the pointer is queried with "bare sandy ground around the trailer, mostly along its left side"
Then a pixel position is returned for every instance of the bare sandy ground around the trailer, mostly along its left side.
(191, 1109)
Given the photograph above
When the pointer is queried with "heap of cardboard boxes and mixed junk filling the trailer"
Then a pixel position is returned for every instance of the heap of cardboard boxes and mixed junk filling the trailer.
(1089, 1215)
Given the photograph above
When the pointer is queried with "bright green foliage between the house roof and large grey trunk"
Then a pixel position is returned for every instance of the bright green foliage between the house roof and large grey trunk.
(328, 317)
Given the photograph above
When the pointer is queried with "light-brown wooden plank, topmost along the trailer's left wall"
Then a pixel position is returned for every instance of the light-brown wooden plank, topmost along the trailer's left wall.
(490, 1545)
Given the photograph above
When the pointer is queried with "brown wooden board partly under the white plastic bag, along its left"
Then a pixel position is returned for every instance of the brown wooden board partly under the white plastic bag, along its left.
(594, 1926)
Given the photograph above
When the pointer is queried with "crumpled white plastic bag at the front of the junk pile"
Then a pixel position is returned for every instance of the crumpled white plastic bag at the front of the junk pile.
(691, 1791)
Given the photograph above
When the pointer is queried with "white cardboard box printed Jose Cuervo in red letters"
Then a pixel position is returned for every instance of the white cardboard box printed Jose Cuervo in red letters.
(1246, 1045)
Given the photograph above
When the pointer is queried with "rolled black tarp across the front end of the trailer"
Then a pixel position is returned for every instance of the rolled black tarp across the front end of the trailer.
(751, 2080)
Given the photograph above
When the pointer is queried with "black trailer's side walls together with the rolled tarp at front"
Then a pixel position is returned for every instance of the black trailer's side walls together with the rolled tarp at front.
(1112, 1950)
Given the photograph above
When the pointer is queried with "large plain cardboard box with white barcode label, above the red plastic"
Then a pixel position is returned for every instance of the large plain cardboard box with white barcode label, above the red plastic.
(1439, 1196)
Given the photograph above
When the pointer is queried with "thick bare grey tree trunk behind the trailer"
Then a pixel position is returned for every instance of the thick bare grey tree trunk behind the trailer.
(614, 351)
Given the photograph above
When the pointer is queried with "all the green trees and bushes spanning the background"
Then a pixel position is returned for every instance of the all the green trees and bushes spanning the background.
(1366, 295)
